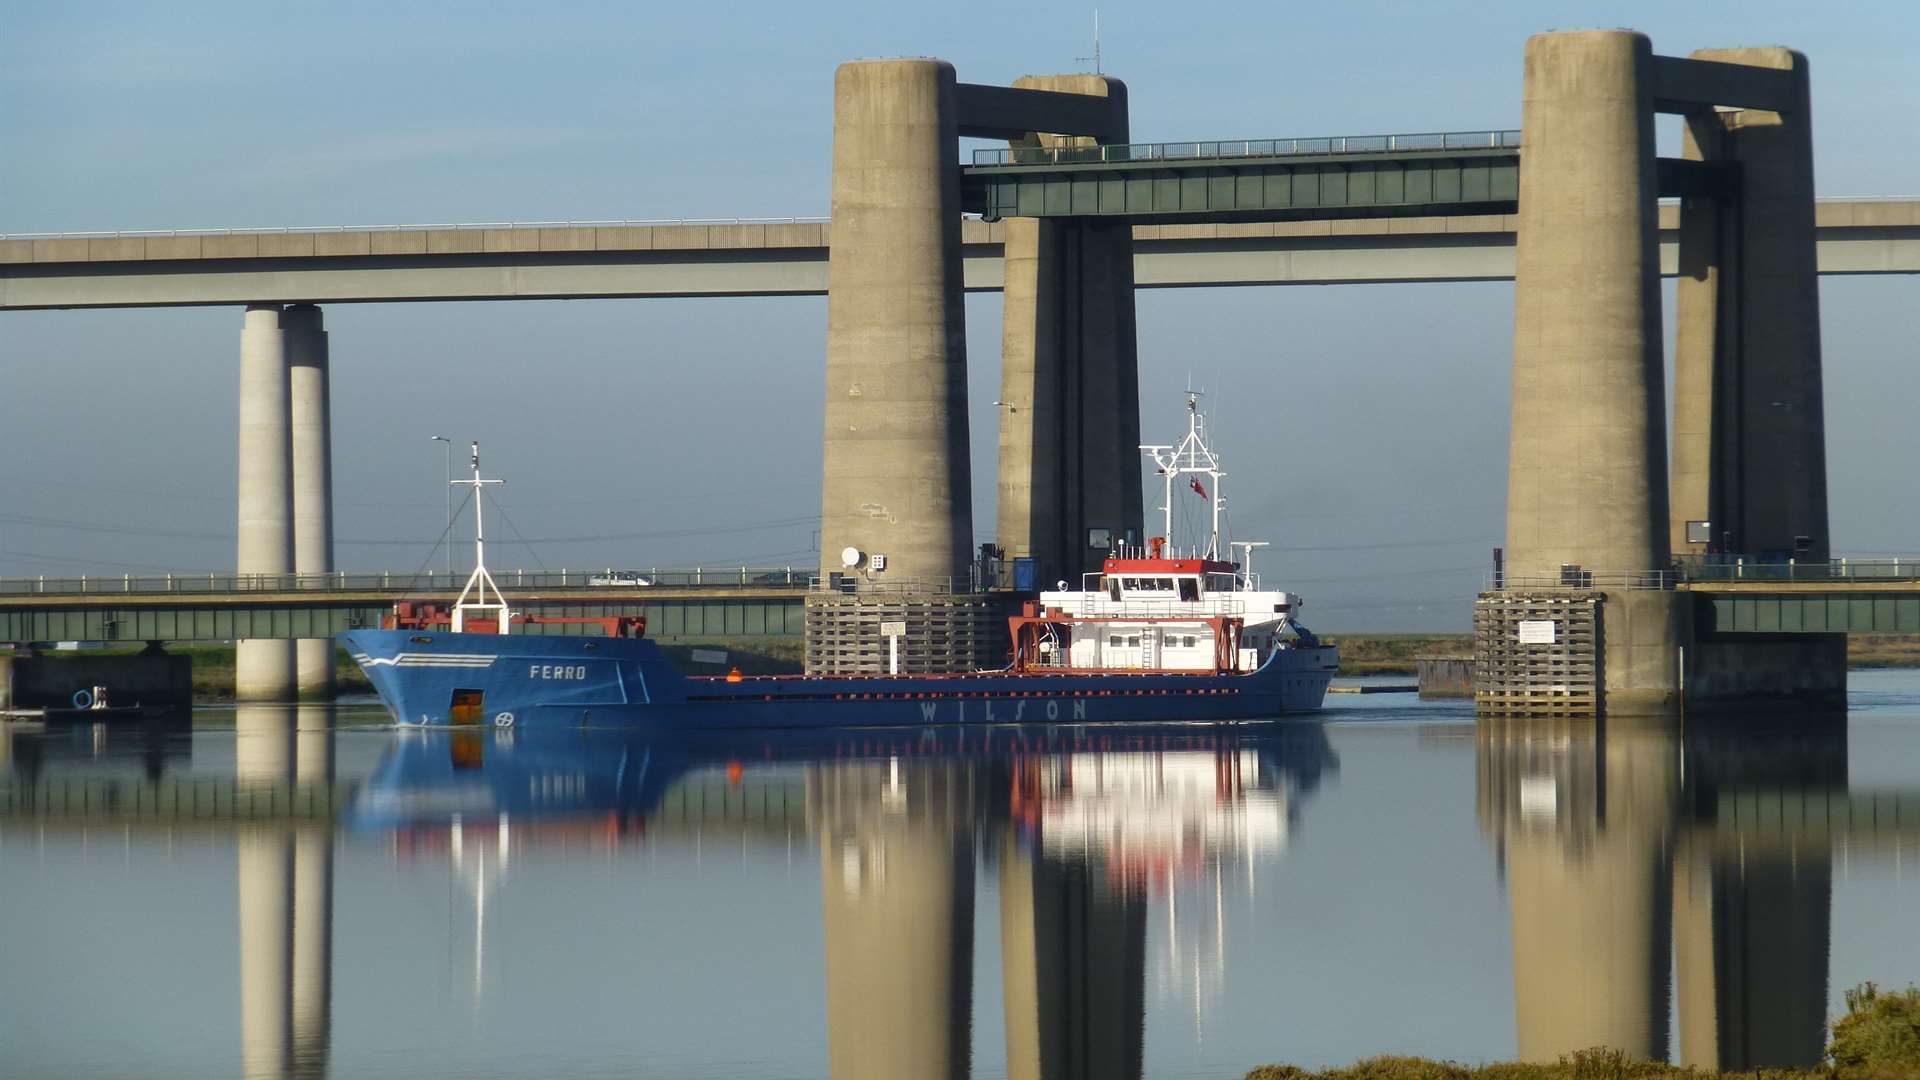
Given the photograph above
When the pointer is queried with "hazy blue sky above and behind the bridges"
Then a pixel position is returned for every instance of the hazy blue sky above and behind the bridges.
(1364, 428)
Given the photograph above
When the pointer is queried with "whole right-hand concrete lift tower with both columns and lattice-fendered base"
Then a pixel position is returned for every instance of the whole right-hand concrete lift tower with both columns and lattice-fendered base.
(1591, 528)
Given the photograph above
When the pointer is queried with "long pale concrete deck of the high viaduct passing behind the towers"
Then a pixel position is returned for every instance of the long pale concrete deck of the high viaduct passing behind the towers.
(577, 260)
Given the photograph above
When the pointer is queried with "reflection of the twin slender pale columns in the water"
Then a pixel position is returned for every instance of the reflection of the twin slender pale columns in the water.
(287, 891)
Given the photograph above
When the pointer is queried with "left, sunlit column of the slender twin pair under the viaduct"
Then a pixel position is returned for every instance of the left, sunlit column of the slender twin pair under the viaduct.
(264, 670)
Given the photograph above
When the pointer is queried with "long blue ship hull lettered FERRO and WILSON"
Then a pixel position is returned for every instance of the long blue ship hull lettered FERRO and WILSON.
(627, 683)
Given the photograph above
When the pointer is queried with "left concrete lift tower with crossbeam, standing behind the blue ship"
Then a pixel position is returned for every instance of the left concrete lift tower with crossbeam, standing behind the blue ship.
(896, 506)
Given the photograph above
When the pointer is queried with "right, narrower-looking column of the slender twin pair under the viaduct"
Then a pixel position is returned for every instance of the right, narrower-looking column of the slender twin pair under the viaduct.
(312, 479)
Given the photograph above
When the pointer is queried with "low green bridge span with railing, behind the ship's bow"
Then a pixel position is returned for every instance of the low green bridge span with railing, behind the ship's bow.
(206, 608)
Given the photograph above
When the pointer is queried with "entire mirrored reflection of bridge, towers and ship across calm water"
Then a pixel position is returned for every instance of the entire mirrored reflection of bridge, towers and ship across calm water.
(1644, 870)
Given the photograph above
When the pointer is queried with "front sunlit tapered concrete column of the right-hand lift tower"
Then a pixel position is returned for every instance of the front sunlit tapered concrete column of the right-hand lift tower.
(1589, 458)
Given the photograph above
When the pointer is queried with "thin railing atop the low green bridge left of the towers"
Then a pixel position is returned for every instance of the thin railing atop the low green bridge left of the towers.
(412, 583)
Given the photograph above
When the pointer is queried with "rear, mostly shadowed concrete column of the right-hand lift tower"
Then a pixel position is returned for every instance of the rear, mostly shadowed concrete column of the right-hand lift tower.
(1750, 430)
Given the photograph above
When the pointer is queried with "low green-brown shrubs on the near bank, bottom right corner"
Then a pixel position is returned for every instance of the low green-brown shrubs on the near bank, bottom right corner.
(1877, 1041)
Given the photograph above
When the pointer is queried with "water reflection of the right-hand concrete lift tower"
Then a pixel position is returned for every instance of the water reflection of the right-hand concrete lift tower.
(1635, 858)
